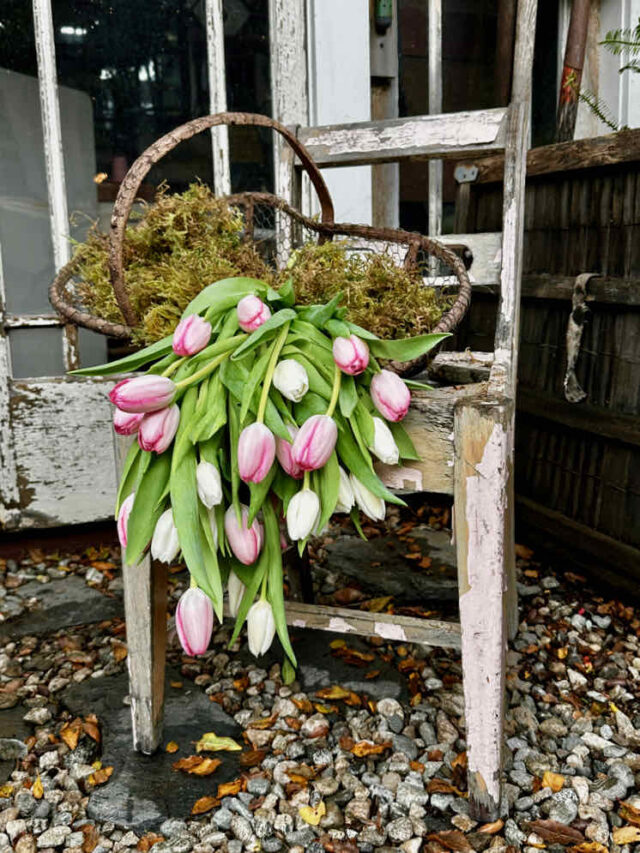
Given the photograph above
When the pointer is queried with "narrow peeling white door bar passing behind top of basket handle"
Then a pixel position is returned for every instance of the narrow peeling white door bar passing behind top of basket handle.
(217, 95)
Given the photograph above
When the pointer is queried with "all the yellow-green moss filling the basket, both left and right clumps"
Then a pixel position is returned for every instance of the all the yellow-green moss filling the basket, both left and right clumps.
(181, 243)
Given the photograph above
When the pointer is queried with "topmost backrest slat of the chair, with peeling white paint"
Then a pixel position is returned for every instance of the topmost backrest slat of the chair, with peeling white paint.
(447, 135)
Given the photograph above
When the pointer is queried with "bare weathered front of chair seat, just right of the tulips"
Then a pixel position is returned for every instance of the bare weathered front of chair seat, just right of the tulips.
(430, 425)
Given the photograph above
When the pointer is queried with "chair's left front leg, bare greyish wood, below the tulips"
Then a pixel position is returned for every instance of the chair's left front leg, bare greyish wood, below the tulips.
(145, 601)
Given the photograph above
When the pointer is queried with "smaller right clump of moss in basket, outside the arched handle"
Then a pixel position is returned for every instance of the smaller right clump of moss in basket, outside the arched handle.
(389, 300)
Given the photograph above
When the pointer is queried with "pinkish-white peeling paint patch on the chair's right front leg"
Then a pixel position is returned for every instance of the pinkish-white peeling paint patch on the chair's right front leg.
(481, 609)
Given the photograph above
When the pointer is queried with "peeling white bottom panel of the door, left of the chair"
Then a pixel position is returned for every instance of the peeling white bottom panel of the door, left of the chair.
(63, 451)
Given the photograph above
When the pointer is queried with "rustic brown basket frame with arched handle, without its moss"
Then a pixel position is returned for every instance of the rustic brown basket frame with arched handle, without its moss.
(271, 223)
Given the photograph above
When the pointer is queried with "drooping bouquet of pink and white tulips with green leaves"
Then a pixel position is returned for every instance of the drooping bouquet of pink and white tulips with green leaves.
(256, 420)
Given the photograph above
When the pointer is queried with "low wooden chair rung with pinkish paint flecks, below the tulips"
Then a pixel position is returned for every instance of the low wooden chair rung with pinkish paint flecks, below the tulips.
(388, 626)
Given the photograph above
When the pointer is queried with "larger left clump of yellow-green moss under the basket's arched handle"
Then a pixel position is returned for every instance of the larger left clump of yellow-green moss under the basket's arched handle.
(173, 248)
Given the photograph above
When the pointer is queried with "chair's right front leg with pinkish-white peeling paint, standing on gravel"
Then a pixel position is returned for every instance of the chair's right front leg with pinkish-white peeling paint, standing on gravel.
(482, 432)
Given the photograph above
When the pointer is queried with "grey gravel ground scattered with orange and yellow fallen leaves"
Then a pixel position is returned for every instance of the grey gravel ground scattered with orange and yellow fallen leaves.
(373, 761)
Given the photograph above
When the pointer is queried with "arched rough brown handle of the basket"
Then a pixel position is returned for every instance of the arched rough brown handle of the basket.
(138, 171)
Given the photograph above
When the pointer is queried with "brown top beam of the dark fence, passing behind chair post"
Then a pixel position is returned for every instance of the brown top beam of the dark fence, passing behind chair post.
(609, 150)
